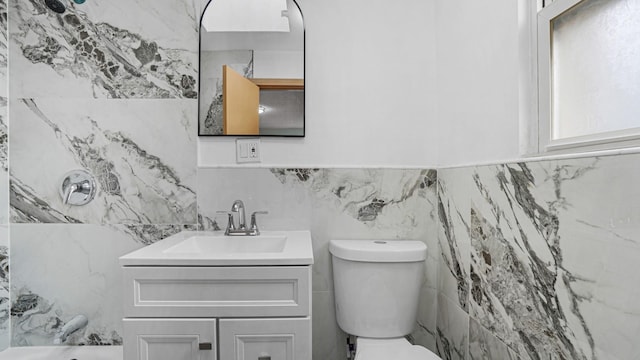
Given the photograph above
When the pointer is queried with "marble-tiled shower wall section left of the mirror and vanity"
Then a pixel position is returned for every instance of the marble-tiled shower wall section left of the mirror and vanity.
(109, 87)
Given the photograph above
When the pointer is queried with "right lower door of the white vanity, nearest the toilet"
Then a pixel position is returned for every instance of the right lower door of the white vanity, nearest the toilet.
(265, 339)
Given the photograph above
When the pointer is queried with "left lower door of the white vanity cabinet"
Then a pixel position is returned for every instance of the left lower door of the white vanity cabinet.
(169, 339)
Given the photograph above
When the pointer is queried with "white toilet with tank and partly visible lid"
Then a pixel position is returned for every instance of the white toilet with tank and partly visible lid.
(377, 287)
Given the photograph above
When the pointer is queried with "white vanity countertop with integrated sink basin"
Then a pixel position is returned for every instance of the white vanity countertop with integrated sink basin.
(193, 248)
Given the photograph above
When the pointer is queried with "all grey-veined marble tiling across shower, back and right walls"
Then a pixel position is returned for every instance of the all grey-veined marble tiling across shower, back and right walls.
(534, 260)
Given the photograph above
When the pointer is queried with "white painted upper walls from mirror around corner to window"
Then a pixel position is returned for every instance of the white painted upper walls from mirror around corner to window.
(431, 83)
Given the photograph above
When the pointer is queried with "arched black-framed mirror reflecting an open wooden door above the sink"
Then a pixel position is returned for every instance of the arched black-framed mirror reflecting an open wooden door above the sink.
(251, 68)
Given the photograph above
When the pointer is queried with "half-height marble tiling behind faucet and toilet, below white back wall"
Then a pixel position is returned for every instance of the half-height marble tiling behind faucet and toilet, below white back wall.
(336, 204)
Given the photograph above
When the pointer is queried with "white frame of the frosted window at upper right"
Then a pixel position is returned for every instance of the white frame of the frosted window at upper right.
(536, 105)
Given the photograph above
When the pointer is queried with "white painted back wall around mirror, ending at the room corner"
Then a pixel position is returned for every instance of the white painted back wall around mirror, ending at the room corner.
(371, 92)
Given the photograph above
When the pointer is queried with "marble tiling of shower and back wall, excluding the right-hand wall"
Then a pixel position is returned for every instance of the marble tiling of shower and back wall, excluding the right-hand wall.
(102, 89)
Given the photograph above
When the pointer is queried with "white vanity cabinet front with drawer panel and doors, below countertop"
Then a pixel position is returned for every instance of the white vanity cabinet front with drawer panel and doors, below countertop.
(217, 312)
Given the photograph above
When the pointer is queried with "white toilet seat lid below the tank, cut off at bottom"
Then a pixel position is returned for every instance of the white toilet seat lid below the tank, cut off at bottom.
(396, 348)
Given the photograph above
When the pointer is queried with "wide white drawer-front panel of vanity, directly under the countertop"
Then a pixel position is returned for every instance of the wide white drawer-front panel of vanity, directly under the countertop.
(217, 291)
